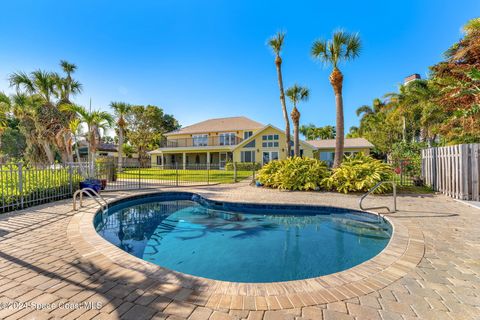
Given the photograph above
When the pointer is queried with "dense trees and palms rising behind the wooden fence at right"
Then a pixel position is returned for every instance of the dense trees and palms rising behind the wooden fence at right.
(442, 109)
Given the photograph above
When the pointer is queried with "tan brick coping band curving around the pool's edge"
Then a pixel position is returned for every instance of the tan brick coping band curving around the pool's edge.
(402, 254)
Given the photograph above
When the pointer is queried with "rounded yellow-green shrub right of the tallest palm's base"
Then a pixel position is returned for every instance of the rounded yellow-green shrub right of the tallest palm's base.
(359, 173)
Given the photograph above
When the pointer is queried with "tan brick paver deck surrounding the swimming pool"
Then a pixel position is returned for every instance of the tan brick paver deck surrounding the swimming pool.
(52, 266)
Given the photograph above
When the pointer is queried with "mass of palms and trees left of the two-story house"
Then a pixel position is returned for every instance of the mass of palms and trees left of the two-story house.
(43, 109)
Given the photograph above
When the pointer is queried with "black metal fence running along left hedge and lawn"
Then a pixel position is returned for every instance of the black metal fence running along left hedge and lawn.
(23, 185)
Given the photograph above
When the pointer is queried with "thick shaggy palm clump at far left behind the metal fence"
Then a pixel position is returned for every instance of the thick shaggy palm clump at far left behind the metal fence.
(37, 103)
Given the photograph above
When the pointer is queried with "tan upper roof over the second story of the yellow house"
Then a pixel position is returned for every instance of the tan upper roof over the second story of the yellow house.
(219, 124)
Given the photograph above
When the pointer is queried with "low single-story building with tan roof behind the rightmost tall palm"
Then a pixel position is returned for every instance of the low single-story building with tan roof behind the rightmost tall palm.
(325, 149)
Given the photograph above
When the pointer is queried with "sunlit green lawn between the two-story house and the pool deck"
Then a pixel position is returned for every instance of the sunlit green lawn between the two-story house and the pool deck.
(210, 176)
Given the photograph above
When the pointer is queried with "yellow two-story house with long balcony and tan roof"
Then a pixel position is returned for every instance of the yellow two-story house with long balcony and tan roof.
(219, 141)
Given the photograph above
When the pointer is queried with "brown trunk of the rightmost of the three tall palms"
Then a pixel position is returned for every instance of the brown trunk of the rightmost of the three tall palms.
(336, 79)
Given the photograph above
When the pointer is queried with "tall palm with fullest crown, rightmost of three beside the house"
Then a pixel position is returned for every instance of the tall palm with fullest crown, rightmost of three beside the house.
(342, 47)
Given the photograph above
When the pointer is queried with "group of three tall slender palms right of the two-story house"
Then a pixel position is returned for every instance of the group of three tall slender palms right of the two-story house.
(342, 47)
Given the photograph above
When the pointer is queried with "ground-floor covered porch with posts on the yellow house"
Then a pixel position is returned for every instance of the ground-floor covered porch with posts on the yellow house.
(197, 159)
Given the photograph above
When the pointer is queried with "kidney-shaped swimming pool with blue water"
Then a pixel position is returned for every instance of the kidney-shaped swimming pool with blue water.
(242, 242)
